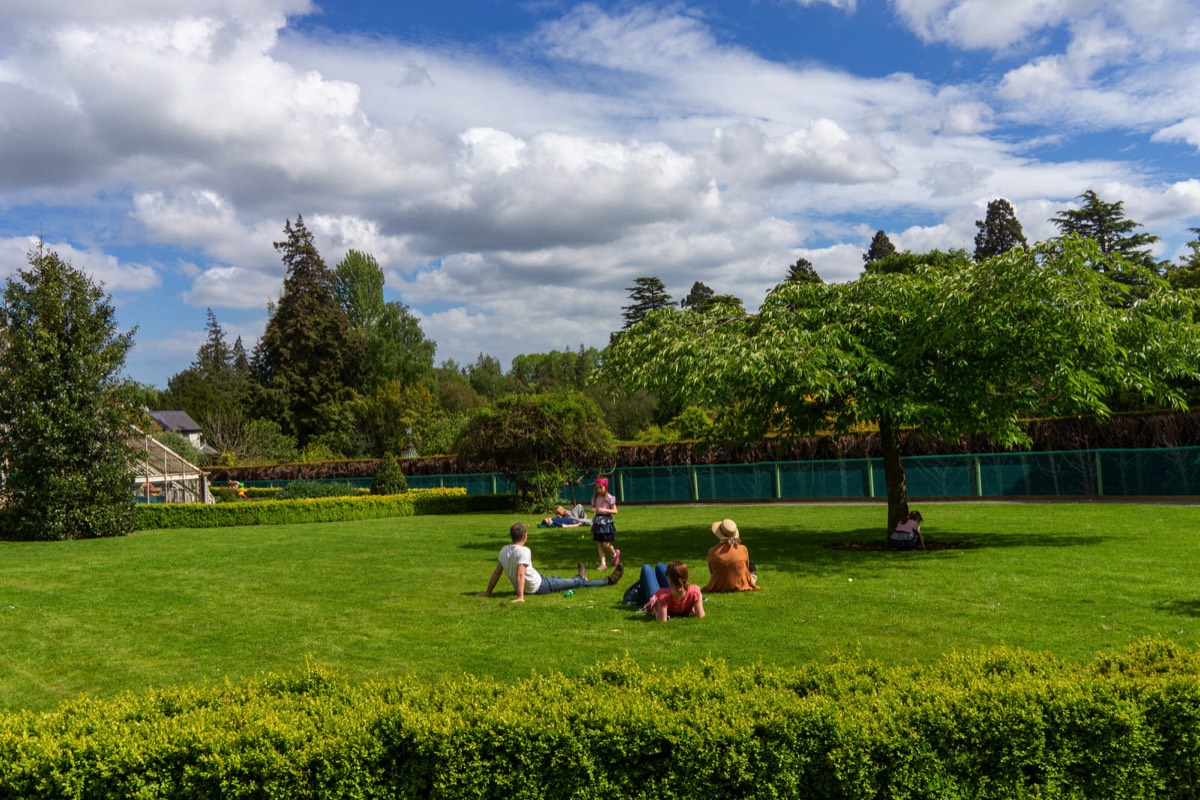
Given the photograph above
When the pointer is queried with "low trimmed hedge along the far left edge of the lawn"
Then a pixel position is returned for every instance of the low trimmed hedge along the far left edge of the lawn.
(285, 513)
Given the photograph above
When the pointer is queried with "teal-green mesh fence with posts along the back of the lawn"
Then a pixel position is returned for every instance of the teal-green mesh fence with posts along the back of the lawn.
(1169, 472)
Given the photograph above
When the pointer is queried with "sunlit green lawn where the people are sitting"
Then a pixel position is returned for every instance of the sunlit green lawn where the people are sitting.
(397, 597)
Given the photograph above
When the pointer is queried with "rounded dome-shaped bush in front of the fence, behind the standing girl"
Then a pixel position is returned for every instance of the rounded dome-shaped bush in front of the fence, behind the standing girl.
(536, 440)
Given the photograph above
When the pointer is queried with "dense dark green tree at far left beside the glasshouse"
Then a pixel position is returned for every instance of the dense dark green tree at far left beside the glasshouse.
(64, 407)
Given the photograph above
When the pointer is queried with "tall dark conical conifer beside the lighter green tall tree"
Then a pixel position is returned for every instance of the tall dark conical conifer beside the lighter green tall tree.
(308, 358)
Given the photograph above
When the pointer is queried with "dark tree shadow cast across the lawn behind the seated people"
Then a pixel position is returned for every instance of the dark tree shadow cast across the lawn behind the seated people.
(775, 550)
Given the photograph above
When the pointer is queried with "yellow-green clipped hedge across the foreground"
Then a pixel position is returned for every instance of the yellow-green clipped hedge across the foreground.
(1000, 725)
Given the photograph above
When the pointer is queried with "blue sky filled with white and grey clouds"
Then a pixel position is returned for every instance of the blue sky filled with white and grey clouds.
(515, 166)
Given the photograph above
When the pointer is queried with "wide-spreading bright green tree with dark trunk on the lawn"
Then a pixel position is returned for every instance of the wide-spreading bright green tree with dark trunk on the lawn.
(951, 352)
